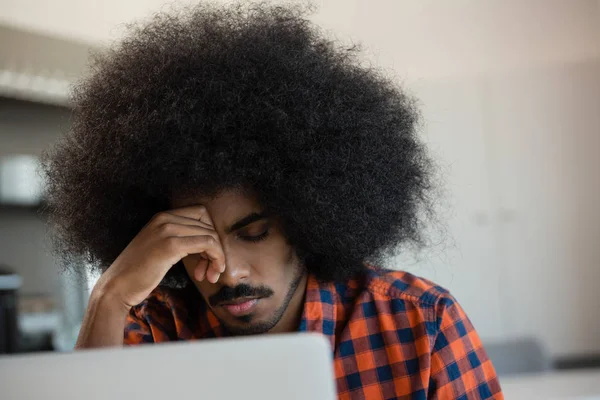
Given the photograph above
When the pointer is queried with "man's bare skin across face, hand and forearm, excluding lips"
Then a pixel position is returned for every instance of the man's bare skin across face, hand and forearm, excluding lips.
(231, 251)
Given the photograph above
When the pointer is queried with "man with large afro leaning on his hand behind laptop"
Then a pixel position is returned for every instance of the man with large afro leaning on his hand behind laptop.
(232, 172)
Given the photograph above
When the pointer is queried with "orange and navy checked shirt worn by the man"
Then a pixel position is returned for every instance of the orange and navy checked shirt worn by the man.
(393, 335)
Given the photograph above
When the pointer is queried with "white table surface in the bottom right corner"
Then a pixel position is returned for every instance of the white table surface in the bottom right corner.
(575, 384)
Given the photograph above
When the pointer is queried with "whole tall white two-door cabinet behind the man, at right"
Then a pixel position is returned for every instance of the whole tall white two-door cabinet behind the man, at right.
(519, 159)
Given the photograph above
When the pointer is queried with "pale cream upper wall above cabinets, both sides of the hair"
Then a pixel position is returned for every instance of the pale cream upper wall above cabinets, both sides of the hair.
(417, 38)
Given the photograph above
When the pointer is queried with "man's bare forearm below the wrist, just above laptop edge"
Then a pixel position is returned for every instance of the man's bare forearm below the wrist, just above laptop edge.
(104, 322)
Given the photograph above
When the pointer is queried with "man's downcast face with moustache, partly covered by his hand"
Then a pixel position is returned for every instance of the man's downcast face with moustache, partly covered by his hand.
(262, 288)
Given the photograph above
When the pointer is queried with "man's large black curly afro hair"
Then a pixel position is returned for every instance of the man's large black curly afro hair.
(252, 96)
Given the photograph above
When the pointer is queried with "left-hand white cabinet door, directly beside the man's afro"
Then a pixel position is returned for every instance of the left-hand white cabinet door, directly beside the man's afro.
(464, 257)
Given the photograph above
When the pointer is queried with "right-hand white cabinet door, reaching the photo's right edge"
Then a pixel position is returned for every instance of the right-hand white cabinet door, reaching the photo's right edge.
(544, 137)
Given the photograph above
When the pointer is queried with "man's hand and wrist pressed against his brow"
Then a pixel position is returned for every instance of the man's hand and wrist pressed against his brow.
(164, 241)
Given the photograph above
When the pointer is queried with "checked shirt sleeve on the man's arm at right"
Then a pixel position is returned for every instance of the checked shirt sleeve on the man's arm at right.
(460, 367)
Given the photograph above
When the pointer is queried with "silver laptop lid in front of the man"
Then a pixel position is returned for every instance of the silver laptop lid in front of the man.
(270, 367)
